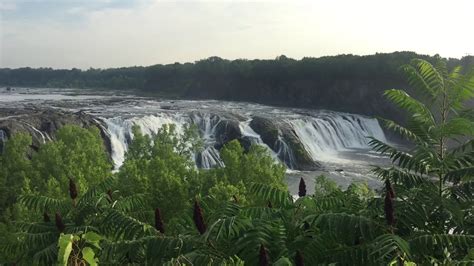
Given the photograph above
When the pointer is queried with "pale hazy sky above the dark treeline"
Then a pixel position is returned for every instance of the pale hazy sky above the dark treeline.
(109, 33)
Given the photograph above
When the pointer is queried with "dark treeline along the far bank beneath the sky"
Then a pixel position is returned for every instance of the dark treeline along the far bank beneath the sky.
(343, 83)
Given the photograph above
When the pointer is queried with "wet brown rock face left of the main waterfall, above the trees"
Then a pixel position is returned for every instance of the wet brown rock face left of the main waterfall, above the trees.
(42, 124)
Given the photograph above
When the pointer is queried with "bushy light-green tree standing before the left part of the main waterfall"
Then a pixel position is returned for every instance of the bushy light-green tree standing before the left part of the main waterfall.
(160, 167)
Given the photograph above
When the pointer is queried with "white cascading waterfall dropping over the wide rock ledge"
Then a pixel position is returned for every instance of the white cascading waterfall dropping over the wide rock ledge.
(322, 134)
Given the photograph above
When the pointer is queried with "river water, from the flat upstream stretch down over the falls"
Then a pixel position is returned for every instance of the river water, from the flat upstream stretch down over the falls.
(336, 140)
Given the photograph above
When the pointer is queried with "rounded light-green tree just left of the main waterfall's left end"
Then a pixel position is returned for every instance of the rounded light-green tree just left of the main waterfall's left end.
(78, 154)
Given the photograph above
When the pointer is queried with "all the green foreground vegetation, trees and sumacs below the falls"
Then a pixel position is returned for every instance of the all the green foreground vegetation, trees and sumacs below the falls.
(63, 205)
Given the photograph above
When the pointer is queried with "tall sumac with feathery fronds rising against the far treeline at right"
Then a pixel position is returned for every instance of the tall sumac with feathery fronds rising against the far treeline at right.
(439, 124)
